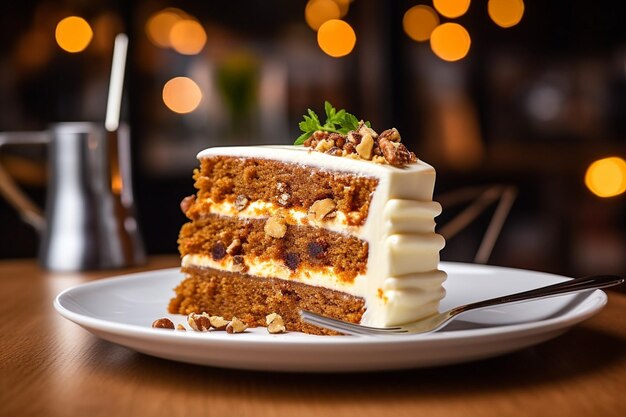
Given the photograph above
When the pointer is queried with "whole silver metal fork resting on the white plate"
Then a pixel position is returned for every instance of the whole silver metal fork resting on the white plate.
(437, 321)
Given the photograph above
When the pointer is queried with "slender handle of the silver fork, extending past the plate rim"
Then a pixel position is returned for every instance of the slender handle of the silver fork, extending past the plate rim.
(569, 286)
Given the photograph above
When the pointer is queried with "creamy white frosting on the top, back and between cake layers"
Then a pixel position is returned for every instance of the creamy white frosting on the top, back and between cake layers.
(402, 282)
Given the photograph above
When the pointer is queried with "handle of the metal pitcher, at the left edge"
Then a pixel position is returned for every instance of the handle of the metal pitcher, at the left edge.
(27, 209)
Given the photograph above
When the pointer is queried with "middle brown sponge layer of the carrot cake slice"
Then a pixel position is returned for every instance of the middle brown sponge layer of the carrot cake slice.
(244, 245)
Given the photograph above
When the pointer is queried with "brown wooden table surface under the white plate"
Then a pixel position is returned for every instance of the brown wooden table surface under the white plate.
(52, 367)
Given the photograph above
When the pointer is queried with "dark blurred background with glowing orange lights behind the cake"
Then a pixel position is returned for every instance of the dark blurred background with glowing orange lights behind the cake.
(526, 95)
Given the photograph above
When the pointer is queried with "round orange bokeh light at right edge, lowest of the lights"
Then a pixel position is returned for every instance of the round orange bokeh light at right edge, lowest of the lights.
(606, 177)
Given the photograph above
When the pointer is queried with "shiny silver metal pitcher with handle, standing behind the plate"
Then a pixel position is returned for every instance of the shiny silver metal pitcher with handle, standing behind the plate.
(89, 220)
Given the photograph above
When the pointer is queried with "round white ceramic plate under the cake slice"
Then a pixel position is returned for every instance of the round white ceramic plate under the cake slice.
(122, 309)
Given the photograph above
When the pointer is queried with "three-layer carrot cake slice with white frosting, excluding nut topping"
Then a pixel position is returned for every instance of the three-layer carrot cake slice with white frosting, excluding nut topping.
(284, 228)
